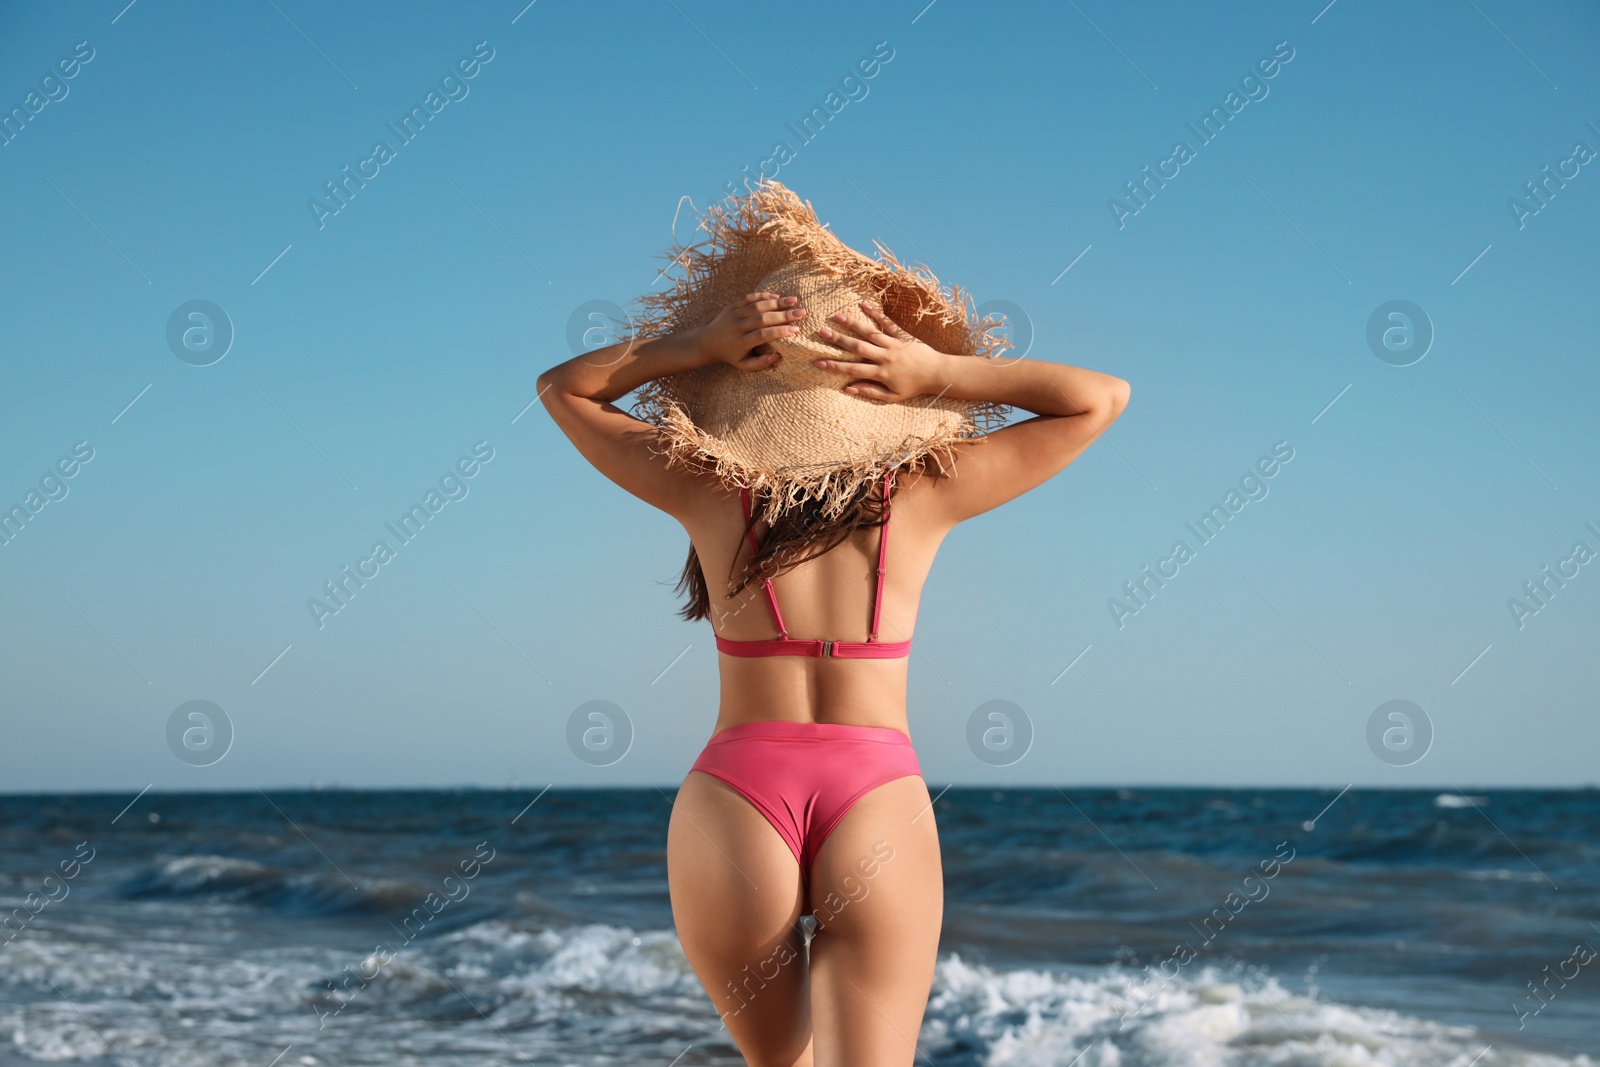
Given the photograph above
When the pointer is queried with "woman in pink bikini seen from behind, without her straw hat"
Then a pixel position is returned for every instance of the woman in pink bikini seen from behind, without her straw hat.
(809, 799)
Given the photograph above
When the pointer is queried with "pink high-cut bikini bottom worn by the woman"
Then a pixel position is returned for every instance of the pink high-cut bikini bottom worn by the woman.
(806, 777)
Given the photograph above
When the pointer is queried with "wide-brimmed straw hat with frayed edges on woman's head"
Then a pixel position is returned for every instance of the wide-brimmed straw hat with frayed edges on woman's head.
(791, 430)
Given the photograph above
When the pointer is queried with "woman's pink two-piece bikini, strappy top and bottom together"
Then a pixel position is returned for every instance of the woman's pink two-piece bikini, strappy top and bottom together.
(804, 778)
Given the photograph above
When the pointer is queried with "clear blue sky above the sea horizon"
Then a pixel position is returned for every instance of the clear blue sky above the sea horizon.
(1367, 154)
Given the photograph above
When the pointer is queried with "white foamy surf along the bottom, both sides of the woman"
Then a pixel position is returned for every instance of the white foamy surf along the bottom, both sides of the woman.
(561, 994)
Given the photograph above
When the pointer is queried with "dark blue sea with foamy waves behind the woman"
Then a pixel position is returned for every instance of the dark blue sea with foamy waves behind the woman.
(1084, 927)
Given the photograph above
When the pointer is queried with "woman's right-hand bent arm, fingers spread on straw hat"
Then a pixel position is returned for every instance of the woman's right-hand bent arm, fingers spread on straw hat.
(1073, 409)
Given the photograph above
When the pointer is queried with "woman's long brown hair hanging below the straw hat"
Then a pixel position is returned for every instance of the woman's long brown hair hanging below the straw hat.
(801, 530)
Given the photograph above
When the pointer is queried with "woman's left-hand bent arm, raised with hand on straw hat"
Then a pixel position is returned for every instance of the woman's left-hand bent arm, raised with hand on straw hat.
(580, 394)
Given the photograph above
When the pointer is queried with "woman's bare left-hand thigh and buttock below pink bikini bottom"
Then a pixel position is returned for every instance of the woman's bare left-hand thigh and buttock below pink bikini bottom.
(737, 901)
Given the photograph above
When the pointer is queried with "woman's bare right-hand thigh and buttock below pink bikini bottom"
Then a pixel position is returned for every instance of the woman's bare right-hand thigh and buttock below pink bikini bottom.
(878, 892)
